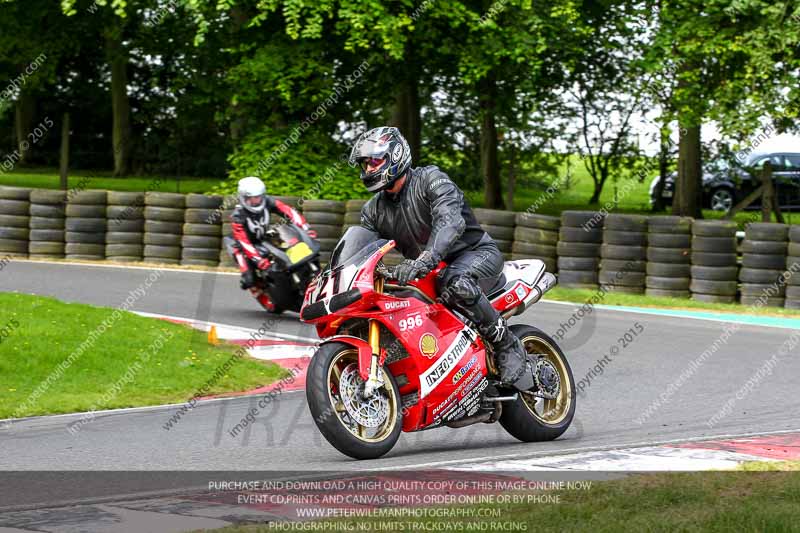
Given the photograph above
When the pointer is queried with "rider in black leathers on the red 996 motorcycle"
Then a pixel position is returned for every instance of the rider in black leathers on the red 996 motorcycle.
(425, 213)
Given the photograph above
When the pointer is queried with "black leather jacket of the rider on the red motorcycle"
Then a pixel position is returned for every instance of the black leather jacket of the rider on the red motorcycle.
(429, 213)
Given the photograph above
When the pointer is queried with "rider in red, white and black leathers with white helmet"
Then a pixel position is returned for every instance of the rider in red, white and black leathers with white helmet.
(250, 221)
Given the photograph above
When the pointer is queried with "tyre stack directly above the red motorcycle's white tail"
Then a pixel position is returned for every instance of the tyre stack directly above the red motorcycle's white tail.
(536, 237)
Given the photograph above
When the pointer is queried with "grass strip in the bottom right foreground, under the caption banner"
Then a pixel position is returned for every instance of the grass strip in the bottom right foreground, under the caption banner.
(686, 502)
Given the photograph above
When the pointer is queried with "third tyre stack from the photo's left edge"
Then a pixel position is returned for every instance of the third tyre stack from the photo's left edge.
(86, 225)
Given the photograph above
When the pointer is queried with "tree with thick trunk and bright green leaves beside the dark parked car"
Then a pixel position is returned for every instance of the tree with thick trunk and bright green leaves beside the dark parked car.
(723, 64)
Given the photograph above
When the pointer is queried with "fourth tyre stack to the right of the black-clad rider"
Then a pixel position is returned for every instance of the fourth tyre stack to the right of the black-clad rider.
(624, 253)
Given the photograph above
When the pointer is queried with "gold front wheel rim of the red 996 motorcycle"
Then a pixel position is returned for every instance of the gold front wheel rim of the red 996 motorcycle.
(343, 359)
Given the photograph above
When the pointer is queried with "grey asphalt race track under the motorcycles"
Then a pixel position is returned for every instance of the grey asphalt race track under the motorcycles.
(284, 437)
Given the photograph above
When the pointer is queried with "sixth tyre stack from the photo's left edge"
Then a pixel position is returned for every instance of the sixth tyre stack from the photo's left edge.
(202, 230)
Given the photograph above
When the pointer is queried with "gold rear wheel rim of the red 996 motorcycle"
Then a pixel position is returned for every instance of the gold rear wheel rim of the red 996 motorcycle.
(550, 412)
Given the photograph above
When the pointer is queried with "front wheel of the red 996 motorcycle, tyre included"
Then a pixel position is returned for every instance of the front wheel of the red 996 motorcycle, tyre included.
(362, 428)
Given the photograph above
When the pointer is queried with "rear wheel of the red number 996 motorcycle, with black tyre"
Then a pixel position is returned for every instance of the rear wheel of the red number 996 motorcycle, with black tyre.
(532, 419)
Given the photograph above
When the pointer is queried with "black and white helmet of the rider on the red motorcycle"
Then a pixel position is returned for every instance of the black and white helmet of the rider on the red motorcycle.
(383, 155)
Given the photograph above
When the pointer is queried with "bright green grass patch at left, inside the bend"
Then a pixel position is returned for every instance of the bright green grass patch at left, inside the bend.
(136, 361)
